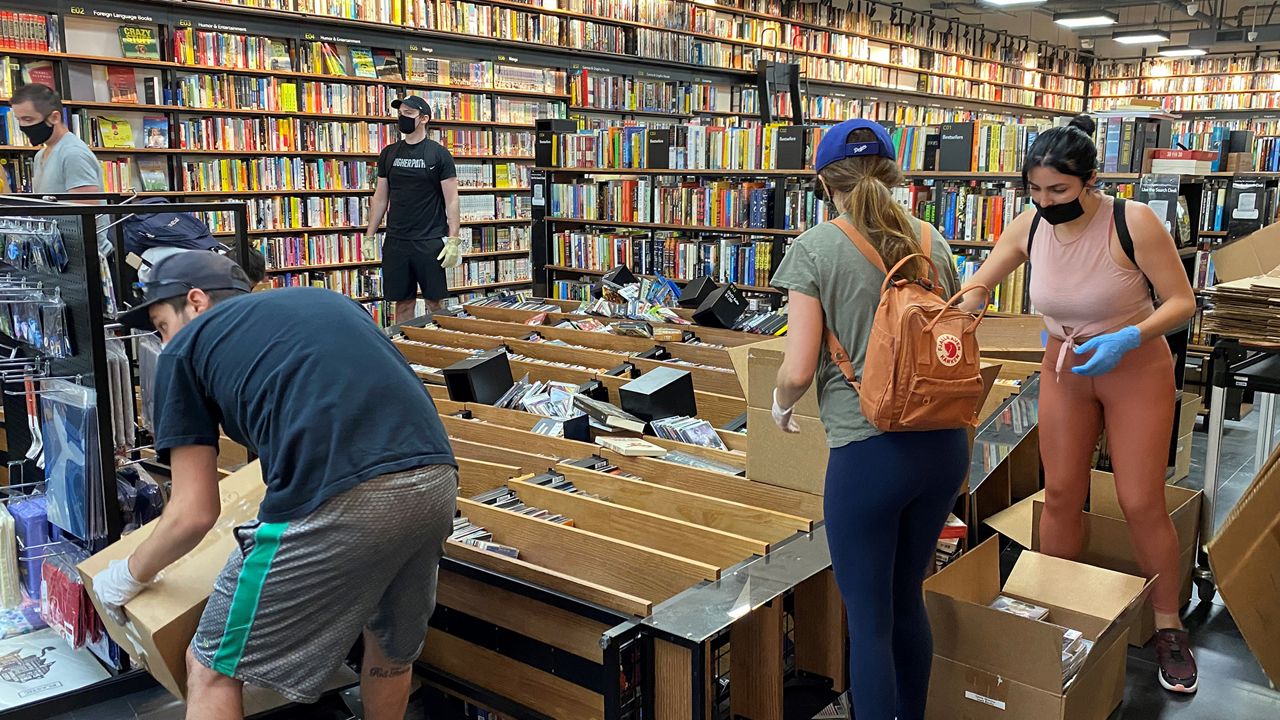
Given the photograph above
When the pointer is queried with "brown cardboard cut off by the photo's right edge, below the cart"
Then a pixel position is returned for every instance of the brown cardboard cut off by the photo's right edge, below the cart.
(1246, 560)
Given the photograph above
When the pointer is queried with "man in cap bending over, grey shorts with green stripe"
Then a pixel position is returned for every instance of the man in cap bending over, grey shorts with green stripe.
(360, 487)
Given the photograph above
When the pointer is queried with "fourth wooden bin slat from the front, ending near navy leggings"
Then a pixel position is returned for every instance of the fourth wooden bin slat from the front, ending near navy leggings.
(696, 508)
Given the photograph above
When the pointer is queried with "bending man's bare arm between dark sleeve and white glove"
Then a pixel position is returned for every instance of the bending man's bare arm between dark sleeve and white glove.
(191, 513)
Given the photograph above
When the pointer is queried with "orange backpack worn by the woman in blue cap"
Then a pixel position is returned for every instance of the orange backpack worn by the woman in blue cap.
(922, 363)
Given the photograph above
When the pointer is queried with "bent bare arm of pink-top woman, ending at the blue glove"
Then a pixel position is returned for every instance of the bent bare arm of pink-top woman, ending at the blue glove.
(1158, 258)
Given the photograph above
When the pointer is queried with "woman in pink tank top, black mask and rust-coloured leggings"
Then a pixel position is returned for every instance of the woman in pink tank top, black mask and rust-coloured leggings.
(1107, 363)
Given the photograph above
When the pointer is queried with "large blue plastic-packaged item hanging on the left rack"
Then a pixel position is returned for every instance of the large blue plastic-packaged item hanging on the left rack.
(72, 459)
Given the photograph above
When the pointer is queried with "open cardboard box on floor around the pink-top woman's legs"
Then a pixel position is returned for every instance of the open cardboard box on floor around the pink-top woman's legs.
(1107, 537)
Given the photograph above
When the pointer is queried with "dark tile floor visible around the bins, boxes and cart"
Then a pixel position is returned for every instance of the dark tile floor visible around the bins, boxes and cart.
(1232, 682)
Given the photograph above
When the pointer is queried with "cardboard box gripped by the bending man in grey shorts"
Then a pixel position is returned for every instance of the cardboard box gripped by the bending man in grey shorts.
(164, 618)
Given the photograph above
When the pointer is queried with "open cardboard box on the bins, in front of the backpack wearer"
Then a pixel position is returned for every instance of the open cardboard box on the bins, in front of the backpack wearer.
(790, 461)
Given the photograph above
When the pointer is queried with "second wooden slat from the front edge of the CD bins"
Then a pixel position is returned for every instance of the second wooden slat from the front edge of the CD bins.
(616, 564)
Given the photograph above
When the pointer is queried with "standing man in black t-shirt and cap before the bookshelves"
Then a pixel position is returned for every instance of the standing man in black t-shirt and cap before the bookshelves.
(418, 192)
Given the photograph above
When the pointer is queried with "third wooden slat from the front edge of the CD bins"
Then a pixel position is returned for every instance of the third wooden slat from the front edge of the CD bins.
(648, 530)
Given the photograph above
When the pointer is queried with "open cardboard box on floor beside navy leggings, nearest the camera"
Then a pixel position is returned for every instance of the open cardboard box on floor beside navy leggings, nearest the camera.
(993, 666)
